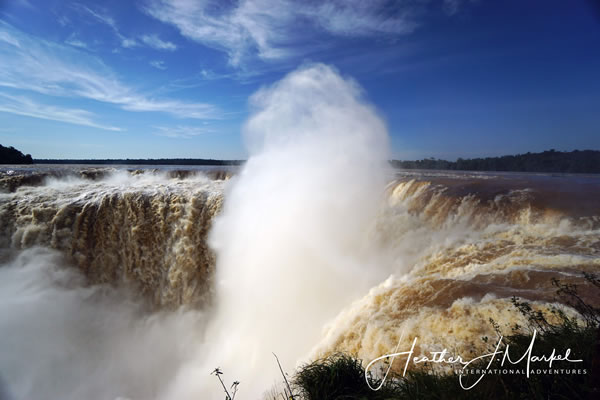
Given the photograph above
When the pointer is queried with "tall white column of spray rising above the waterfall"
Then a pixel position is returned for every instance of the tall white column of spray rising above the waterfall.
(288, 255)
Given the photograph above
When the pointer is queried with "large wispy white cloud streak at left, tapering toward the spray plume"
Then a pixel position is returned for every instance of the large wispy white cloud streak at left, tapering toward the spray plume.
(50, 68)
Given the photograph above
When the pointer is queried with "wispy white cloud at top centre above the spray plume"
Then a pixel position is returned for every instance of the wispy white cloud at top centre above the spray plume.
(274, 29)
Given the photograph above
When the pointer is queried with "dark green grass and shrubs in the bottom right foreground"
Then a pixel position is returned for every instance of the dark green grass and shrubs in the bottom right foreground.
(342, 376)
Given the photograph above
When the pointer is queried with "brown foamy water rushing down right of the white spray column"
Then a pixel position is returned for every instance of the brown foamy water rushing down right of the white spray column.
(461, 257)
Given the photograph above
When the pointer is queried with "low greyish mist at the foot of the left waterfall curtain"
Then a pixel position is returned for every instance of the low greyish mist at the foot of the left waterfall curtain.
(63, 340)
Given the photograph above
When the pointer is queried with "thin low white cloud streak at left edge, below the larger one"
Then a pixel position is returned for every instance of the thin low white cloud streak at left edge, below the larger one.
(21, 105)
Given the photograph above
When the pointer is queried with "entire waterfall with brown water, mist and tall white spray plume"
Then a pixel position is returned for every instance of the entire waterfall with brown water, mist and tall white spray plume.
(137, 283)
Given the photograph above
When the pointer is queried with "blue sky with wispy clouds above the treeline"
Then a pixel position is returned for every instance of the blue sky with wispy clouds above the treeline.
(171, 78)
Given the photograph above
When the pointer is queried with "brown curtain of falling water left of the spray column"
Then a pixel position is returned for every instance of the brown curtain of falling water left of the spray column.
(146, 229)
